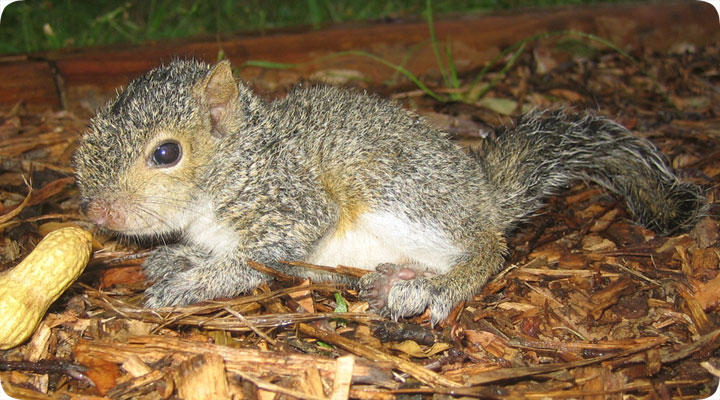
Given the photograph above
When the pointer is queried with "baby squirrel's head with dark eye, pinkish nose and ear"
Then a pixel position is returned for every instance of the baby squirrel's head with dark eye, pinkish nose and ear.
(138, 165)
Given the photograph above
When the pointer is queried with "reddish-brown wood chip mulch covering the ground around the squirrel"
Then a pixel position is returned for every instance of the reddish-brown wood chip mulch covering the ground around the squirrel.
(590, 305)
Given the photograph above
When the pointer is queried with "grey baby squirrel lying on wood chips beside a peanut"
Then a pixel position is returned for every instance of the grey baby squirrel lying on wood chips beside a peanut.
(332, 176)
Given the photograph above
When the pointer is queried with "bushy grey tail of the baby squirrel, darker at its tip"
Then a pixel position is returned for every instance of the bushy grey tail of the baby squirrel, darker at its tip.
(545, 151)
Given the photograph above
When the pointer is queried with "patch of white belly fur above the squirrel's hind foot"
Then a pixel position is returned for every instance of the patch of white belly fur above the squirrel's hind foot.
(383, 237)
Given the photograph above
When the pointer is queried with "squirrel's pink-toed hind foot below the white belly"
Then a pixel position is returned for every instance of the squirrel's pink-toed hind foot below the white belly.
(401, 291)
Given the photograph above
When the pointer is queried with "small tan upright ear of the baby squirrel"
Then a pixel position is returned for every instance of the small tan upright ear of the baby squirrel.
(219, 91)
